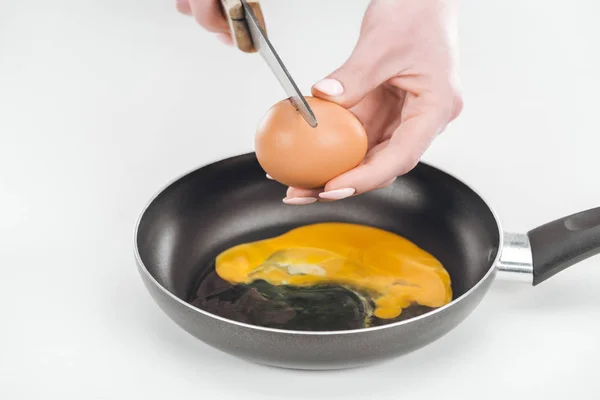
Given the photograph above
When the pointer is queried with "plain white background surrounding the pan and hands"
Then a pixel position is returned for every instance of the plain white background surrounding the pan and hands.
(104, 101)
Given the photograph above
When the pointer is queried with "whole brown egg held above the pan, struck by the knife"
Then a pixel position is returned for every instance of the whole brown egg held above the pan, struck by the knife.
(297, 155)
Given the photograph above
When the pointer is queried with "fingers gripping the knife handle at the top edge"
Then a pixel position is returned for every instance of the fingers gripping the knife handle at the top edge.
(209, 14)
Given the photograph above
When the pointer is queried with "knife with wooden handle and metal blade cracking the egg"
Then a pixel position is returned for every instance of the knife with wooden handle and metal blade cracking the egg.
(248, 31)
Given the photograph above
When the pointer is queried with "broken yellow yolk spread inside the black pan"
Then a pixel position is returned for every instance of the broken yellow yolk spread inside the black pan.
(392, 270)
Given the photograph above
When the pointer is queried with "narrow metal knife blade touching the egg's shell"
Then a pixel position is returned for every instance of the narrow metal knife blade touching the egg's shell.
(268, 53)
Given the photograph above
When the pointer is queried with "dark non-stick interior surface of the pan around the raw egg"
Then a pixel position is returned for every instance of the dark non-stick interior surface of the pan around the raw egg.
(231, 202)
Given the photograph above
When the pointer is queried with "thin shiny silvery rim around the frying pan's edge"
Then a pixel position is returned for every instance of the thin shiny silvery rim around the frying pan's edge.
(146, 272)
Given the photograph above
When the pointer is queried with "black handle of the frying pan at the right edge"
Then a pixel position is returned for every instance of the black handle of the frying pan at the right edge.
(559, 244)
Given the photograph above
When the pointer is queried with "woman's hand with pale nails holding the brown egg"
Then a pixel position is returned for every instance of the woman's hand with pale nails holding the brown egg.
(401, 82)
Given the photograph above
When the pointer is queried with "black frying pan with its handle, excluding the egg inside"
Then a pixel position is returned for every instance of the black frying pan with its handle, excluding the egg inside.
(231, 201)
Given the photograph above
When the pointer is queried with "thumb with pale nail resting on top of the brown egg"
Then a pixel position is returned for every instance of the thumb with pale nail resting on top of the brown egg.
(351, 82)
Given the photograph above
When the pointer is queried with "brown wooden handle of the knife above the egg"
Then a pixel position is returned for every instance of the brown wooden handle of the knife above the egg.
(236, 17)
